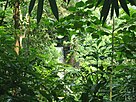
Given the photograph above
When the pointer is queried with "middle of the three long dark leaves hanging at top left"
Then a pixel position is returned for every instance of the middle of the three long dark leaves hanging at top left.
(39, 10)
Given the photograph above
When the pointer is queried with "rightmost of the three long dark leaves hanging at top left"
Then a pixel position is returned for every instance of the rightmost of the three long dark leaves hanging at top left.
(54, 8)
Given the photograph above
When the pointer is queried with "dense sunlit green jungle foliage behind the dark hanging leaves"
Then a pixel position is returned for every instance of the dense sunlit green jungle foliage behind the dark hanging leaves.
(93, 54)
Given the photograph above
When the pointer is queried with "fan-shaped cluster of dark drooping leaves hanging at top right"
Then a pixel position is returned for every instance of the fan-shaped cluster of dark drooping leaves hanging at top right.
(113, 5)
